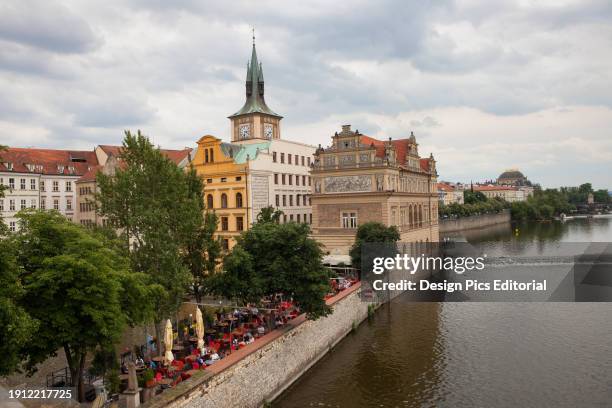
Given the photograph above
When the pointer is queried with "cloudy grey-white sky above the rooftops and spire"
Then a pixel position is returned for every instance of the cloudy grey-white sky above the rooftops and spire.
(484, 85)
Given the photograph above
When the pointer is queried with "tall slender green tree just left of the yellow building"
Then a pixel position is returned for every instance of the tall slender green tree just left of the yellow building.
(151, 202)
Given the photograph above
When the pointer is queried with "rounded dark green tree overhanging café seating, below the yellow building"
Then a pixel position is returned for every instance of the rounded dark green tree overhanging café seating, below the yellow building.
(275, 258)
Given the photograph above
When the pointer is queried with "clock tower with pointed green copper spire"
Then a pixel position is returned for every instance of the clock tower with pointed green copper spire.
(255, 121)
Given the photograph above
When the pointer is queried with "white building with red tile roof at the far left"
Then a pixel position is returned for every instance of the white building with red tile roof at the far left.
(41, 178)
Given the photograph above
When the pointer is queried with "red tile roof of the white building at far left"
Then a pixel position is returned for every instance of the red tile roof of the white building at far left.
(47, 161)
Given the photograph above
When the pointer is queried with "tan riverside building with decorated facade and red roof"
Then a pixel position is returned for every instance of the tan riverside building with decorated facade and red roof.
(359, 179)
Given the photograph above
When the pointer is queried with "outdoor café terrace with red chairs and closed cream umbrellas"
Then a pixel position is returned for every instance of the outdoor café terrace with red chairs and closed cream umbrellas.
(196, 344)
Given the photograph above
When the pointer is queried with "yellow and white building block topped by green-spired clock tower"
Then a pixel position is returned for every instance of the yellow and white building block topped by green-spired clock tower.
(257, 169)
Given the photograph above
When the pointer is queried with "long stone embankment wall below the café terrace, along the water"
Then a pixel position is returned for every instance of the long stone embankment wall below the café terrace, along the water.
(261, 371)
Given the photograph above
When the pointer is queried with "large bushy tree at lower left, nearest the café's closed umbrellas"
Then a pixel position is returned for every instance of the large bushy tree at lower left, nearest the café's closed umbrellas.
(78, 287)
